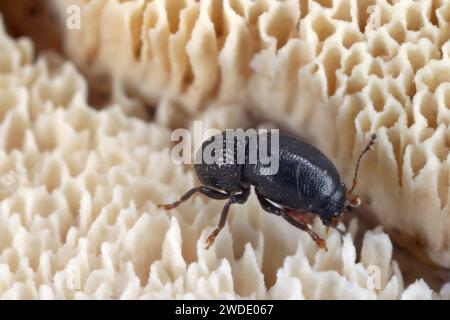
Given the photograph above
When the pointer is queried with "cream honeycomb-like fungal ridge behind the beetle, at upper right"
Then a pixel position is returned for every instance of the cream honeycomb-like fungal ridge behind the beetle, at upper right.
(334, 70)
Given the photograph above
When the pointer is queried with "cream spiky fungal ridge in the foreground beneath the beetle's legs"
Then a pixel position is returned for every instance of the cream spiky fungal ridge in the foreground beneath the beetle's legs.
(78, 217)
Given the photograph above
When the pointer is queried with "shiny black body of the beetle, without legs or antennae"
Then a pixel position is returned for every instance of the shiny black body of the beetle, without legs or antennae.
(306, 180)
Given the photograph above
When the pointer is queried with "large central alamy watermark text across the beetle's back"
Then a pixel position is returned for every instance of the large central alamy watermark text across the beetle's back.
(232, 146)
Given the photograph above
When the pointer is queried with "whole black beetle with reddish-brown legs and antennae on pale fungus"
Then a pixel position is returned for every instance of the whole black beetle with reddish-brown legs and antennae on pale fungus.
(306, 181)
